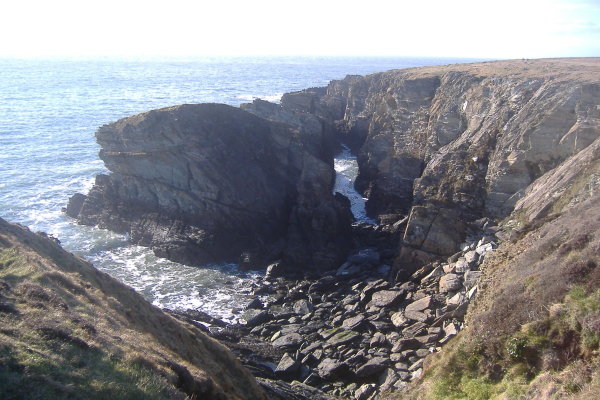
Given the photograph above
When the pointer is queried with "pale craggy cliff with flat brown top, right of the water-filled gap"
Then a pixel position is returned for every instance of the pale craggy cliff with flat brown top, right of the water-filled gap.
(451, 144)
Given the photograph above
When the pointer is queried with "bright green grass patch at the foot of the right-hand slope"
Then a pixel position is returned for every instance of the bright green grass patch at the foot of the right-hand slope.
(570, 331)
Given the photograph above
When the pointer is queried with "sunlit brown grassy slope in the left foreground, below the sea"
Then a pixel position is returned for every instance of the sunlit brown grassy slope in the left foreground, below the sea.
(68, 330)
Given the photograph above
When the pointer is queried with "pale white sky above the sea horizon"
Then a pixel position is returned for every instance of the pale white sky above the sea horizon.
(435, 28)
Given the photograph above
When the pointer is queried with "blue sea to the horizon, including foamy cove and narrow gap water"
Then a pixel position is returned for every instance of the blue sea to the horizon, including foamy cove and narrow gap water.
(50, 109)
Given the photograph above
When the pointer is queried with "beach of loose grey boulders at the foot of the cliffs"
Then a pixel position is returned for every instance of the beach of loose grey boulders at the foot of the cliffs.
(354, 333)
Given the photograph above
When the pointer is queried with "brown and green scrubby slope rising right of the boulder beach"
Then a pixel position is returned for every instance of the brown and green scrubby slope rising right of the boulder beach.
(534, 331)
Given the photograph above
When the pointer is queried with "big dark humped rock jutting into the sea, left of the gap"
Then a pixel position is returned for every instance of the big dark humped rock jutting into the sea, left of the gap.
(209, 182)
